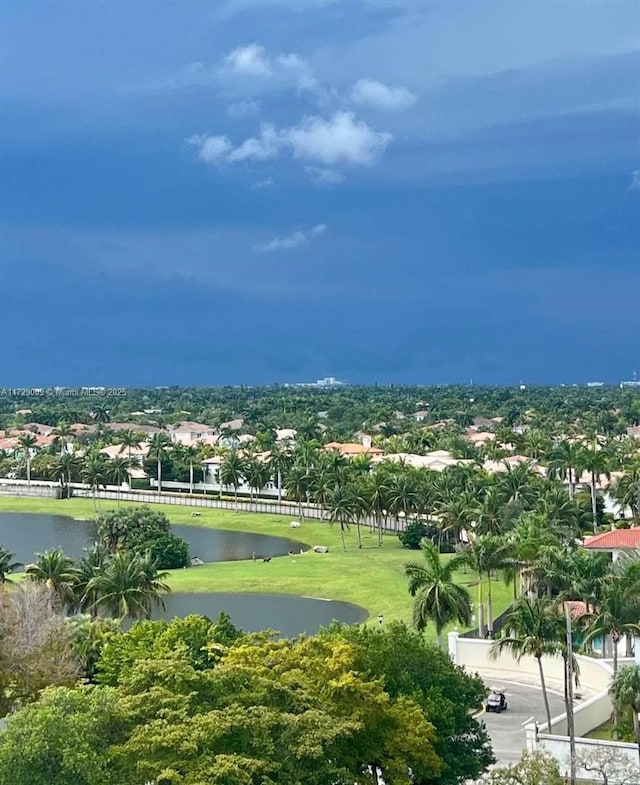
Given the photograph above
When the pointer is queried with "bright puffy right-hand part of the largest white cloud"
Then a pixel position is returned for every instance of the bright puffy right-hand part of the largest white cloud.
(341, 139)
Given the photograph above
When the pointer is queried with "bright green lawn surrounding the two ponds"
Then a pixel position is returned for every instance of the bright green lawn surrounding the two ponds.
(372, 577)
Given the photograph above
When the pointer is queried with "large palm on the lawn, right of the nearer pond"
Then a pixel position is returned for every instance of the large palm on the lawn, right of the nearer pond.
(437, 597)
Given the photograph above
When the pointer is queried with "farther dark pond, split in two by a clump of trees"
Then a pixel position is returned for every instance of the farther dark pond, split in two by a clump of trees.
(25, 535)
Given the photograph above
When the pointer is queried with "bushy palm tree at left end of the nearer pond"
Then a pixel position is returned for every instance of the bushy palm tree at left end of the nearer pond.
(127, 587)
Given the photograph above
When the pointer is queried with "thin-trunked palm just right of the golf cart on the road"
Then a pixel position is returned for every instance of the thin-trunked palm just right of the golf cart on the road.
(532, 631)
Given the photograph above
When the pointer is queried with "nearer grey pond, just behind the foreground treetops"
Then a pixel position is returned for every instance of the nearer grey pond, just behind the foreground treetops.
(285, 613)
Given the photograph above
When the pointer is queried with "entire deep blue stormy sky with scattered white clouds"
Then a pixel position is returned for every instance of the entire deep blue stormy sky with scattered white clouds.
(269, 191)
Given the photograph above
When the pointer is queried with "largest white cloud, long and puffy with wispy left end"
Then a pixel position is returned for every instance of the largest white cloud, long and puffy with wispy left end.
(342, 139)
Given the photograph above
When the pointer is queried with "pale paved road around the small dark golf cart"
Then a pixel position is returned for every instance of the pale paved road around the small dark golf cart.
(506, 729)
